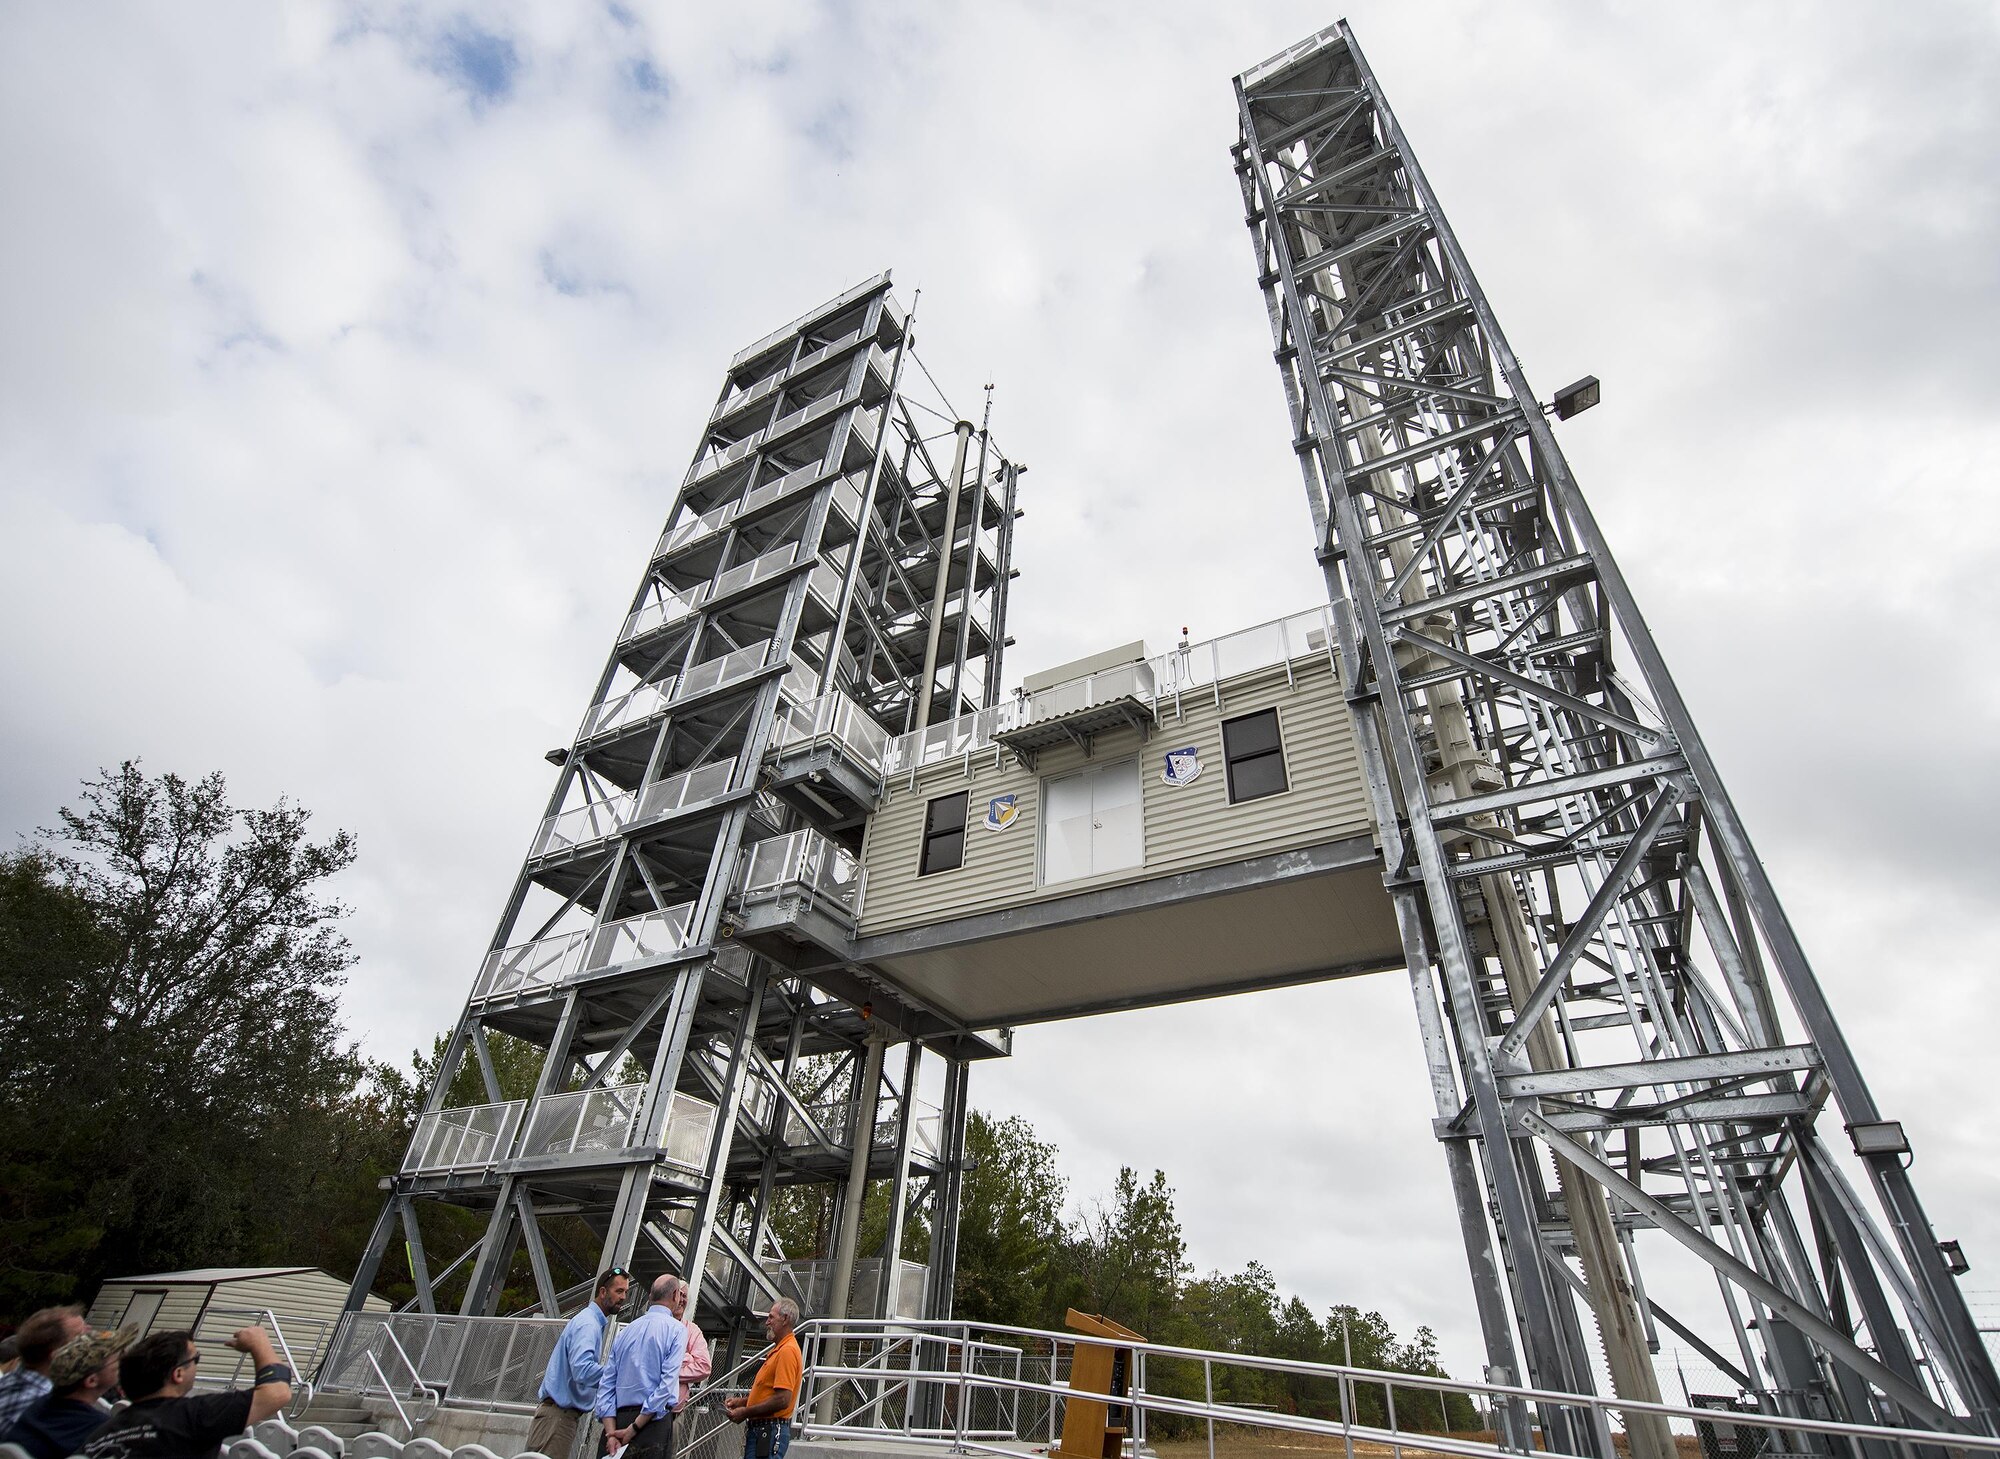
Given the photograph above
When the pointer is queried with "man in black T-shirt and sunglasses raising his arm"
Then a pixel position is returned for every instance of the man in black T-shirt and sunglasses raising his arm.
(165, 1424)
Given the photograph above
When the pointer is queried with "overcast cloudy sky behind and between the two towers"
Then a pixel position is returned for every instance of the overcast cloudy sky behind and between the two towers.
(351, 357)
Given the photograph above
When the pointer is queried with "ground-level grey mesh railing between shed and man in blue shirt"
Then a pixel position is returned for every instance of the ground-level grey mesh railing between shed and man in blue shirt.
(471, 1362)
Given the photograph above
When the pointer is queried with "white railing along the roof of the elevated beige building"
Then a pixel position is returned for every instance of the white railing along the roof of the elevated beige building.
(1155, 683)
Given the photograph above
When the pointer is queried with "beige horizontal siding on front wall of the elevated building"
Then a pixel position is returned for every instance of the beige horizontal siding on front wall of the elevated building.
(1187, 826)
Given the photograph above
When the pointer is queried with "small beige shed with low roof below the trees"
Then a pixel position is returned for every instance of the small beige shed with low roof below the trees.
(215, 1302)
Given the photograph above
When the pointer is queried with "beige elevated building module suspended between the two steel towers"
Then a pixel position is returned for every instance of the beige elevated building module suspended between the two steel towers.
(1127, 830)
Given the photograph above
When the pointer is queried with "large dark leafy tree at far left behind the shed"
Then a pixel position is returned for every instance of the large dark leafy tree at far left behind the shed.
(181, 1086)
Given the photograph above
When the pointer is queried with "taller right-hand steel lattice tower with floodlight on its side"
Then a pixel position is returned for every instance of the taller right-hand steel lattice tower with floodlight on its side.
(1625, 1036)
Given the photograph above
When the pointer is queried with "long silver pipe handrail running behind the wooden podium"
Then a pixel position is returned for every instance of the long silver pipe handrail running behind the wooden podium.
(945, 1384)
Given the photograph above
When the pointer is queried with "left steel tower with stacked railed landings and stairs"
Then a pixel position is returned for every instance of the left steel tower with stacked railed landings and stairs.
(833, 573)
